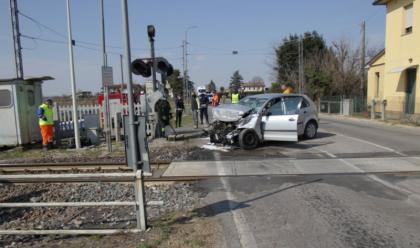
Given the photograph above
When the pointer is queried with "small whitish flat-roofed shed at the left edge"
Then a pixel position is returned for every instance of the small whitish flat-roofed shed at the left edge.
(19, 100)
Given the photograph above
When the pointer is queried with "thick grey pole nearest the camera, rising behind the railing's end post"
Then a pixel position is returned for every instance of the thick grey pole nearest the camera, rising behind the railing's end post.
(127, 64)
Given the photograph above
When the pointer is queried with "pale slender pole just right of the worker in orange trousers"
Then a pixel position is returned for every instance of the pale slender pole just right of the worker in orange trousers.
(72, 79)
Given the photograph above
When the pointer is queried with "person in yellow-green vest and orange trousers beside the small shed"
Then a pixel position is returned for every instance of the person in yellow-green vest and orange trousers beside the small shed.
(46, 123)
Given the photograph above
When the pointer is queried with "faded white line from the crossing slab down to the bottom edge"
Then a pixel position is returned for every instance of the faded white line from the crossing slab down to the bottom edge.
(244, 233)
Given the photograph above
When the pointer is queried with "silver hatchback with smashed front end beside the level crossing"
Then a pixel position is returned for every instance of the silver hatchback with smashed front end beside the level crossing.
(265, 117)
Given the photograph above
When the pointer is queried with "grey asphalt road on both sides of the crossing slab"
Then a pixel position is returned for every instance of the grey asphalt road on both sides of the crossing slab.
(322, 211)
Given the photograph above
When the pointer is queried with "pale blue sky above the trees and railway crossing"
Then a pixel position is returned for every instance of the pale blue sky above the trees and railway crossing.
(250, 27)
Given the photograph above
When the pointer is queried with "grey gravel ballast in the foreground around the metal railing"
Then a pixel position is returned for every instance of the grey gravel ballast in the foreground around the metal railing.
(171, 198)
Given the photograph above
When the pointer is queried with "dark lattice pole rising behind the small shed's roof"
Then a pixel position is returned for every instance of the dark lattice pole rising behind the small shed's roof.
(14, 14)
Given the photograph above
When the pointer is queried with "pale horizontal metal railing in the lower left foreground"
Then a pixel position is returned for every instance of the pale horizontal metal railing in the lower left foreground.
(139, 203)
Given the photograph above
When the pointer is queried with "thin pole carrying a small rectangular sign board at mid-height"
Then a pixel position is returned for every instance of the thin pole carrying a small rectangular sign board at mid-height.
(105, 87)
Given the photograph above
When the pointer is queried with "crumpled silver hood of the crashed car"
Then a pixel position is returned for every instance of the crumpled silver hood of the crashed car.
(230, 112)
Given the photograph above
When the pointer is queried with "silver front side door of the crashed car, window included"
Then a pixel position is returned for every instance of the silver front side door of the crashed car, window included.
(280, 120)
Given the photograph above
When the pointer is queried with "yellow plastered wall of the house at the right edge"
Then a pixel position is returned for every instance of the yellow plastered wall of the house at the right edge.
(402, 50)
